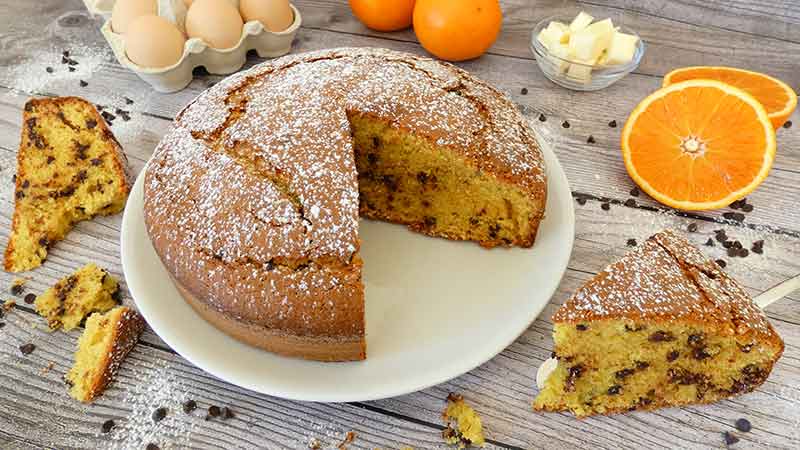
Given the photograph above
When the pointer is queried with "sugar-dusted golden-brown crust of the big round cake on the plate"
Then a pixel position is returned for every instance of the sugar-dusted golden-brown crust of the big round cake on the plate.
(251, 200)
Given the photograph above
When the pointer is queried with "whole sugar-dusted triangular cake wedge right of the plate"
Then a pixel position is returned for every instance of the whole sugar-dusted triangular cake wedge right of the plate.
(664, 326)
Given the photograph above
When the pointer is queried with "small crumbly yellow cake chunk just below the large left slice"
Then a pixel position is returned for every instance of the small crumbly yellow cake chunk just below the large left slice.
(66, 304)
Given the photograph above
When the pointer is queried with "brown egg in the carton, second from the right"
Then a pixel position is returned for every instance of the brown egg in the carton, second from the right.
(217, 22)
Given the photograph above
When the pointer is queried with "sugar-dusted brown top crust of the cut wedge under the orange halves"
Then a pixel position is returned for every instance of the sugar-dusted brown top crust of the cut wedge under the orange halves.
(668, 279)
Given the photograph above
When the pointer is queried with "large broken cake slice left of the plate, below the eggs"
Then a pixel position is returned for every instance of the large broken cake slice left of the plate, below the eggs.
(69, 168)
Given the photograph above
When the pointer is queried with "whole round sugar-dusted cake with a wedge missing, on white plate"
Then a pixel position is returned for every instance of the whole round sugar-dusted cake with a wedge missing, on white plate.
(252, 199)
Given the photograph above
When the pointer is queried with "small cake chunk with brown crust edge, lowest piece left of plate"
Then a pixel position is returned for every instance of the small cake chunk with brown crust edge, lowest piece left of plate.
(102, 347)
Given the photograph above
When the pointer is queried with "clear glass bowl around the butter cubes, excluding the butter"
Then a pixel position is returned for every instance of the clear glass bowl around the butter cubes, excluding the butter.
(601, 76)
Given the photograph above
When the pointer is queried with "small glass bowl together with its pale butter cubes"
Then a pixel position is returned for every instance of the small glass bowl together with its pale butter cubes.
(585, 54)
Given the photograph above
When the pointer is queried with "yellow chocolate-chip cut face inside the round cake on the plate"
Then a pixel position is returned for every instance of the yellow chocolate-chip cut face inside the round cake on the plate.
(406, 179)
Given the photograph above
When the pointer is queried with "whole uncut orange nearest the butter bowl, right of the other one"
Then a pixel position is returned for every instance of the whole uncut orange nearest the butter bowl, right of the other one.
(456, 30)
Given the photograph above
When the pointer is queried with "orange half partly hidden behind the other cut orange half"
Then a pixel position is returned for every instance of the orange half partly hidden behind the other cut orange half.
(777, 97)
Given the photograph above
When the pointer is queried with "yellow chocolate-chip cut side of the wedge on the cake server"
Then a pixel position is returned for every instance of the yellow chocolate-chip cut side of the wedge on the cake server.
(618, 365)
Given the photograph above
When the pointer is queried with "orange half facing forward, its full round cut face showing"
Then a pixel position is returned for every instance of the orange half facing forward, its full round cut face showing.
(698, 144)
